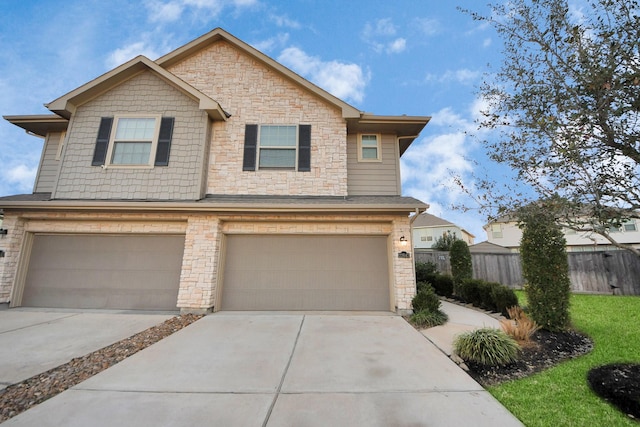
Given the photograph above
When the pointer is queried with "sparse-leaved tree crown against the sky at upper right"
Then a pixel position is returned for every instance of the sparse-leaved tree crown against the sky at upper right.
(563, 110)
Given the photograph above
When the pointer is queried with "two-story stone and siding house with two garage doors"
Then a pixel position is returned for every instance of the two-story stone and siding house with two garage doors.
(213, 178)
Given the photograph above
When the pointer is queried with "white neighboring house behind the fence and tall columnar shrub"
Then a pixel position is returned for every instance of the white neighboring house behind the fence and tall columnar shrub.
(505, 232)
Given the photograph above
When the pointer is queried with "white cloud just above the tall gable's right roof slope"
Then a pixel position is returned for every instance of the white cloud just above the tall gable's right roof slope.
(344, 80)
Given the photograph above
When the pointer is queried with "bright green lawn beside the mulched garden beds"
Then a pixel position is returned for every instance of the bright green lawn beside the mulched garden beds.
(561, 396)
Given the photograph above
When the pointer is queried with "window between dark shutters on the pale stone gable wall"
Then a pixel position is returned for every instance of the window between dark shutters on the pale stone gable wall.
(277, 147)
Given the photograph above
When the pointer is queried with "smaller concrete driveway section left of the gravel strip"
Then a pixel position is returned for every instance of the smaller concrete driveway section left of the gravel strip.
(33, 341)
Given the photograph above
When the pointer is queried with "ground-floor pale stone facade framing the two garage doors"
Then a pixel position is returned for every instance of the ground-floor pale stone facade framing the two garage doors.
(199, 280)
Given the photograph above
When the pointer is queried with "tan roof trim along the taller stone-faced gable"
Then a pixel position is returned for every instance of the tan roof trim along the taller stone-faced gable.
(217, 34)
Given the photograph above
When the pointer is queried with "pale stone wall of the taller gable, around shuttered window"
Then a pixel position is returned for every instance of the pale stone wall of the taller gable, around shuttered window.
(255, 94)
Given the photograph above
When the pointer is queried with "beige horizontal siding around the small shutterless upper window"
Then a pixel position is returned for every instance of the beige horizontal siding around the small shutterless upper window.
(373, 178)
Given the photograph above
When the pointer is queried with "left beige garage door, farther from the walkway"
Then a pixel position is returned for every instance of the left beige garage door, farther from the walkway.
(99, 271)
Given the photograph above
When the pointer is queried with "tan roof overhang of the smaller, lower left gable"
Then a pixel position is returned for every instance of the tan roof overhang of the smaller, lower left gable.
(66, 105)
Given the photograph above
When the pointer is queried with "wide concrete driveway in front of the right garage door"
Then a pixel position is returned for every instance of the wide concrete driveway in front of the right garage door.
(258, 369)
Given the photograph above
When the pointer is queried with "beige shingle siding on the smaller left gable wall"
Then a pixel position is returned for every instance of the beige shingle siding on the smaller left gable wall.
(144, 94)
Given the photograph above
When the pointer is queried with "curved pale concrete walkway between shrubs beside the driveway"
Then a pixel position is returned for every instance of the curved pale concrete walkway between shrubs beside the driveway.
(461, 319)
